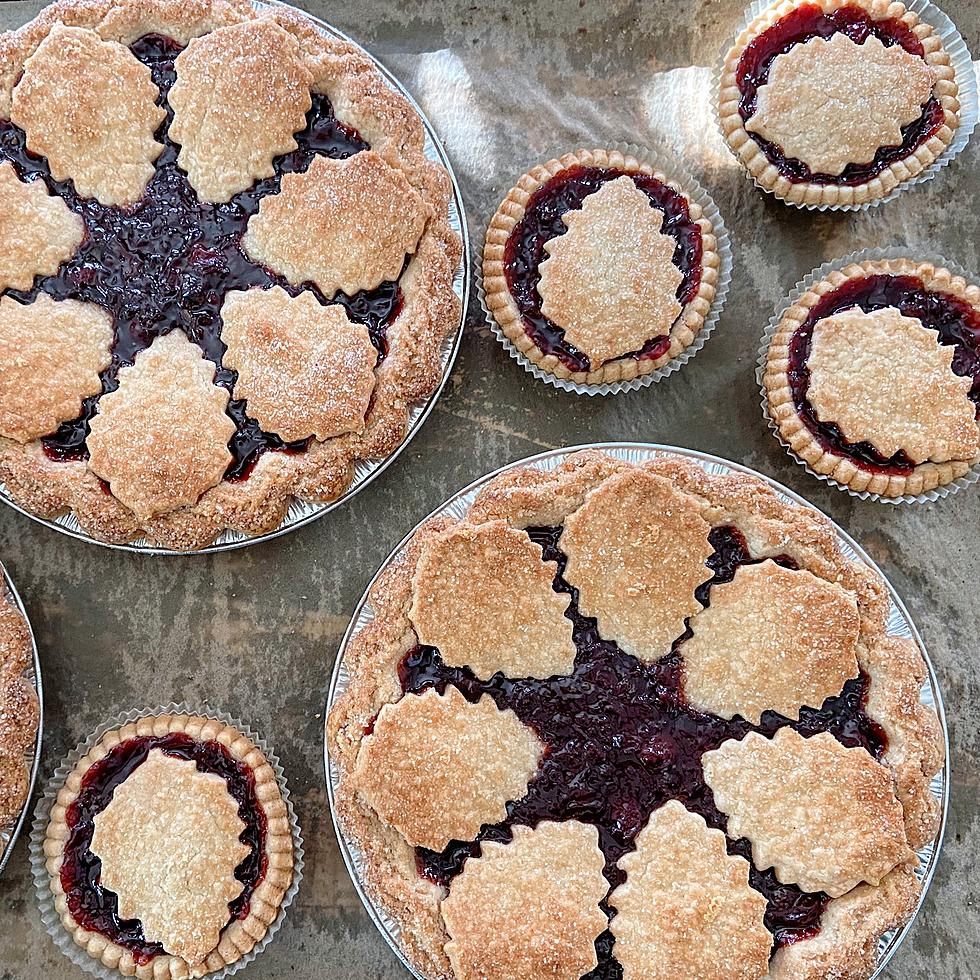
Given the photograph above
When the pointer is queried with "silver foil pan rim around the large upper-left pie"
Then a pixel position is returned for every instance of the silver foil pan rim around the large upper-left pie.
(302, 512)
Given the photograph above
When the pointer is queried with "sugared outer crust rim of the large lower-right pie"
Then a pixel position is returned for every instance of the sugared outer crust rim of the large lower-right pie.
(528, 497)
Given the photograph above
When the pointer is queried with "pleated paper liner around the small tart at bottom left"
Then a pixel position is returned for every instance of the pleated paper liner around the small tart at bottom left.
(49, 915)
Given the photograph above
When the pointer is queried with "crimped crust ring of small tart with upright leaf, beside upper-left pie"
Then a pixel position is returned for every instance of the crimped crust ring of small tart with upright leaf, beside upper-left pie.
(501, 305)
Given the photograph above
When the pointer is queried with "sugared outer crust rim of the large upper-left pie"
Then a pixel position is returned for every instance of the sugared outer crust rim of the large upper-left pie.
(430, 312)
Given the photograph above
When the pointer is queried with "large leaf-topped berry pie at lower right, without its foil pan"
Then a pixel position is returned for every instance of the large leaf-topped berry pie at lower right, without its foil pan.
(635, 810)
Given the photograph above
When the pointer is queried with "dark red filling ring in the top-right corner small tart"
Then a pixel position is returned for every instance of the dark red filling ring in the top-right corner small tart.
(809, 21)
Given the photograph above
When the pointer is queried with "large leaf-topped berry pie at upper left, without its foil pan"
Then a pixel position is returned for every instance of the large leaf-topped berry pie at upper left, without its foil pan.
(228, 271)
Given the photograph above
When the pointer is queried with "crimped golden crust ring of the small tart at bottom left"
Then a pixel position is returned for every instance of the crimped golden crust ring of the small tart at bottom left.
(239, 936)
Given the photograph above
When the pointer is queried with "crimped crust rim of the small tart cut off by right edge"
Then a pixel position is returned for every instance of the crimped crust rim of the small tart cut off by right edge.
(925, 476)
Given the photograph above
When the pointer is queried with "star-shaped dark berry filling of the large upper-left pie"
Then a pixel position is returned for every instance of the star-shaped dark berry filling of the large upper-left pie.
(168, 261)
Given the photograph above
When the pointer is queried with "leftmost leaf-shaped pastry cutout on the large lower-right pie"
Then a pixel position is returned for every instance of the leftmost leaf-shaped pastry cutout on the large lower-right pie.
(444, 786)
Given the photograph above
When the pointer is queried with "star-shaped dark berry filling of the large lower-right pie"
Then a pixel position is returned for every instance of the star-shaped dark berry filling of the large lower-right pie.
(622, 741)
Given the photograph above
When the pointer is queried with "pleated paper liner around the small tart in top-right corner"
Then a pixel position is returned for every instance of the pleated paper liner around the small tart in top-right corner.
(966, 80)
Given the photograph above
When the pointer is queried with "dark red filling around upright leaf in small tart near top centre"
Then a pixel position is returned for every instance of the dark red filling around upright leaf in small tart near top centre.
(565, 192)
